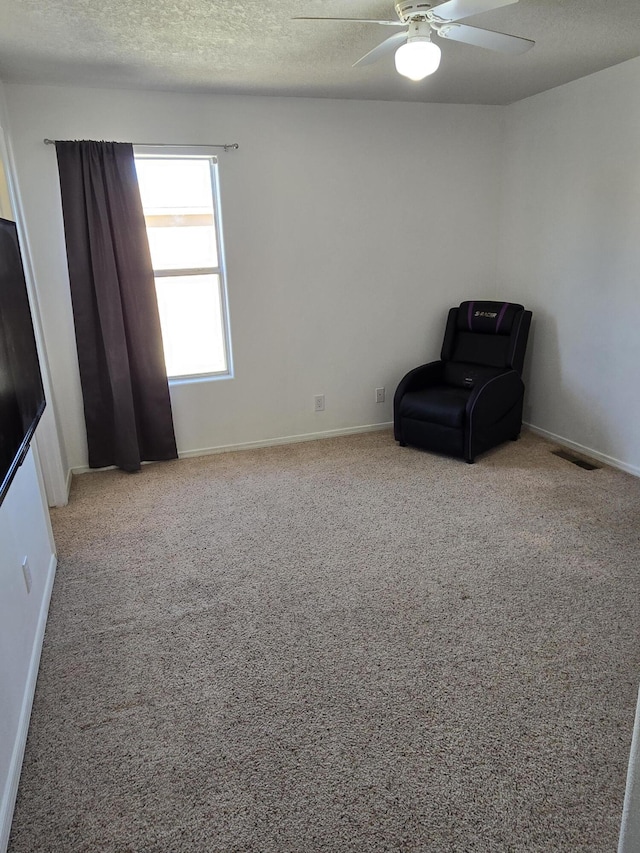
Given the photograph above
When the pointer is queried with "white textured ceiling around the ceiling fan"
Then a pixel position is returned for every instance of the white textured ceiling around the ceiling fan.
(256, 48)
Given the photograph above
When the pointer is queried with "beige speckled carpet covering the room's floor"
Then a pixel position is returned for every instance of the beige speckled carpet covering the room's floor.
(338, 646)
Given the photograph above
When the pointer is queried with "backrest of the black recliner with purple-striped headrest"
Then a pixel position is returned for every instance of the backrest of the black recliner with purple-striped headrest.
(488, 334)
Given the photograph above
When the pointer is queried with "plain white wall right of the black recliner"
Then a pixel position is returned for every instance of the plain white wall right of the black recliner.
(570, 250)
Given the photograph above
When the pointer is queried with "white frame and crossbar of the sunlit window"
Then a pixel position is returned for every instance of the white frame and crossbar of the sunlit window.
(200, 152)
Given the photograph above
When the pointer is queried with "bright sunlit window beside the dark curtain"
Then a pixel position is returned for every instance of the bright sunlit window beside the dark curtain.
(181, 206)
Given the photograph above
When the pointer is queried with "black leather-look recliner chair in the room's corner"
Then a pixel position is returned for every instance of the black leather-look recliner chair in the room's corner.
(471, 399)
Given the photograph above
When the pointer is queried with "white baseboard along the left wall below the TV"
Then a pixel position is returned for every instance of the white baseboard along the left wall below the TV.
(13, 778)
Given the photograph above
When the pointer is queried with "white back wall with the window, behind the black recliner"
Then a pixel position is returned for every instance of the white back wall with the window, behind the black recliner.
(350, 228)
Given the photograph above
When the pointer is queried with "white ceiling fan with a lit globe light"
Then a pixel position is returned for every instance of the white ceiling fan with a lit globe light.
(416, 55)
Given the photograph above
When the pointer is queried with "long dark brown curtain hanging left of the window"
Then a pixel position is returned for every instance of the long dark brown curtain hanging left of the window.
(124, 383)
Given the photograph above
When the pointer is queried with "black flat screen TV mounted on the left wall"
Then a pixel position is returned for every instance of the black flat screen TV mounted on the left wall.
(21, 392)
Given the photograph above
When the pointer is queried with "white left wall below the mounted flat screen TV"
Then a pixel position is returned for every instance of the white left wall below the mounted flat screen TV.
(25, 532)
